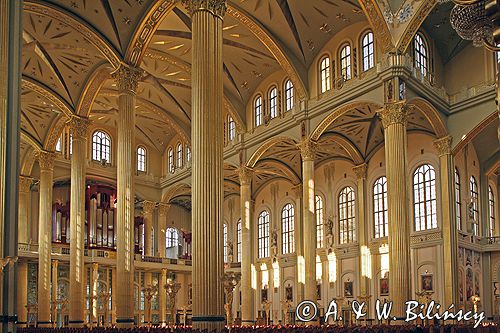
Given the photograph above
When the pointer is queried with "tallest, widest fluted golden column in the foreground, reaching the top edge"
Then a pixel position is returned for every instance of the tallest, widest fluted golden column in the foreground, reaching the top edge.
(207, 165)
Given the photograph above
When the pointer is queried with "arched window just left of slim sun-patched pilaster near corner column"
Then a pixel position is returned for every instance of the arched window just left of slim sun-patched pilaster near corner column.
(347, 215)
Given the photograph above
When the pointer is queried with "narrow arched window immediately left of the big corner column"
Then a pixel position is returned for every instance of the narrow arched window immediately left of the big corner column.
(380, 219)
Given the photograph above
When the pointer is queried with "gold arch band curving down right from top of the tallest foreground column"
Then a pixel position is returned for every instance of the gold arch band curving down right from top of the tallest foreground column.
(271, 45)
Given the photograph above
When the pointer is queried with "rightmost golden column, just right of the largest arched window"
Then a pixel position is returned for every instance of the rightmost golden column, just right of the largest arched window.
(450, 236)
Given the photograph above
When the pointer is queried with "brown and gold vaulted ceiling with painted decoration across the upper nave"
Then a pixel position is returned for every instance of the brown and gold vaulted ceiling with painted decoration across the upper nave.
(70, 47)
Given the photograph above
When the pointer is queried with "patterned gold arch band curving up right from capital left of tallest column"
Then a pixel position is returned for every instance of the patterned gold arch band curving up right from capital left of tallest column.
(146, 30)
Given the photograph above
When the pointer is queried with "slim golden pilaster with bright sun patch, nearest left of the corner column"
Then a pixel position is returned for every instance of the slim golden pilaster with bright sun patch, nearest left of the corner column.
(365, 256)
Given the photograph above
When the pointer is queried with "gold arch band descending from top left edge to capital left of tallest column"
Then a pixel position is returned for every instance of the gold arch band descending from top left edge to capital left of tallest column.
(87, 32)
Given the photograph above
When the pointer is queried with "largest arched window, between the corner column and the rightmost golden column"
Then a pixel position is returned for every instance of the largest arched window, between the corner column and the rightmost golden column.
(424, 197)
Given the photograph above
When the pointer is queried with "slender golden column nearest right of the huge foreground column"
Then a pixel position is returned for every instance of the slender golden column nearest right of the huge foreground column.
(247, 293)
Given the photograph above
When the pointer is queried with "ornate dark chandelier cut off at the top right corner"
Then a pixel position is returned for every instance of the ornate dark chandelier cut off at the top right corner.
(477, 20)
